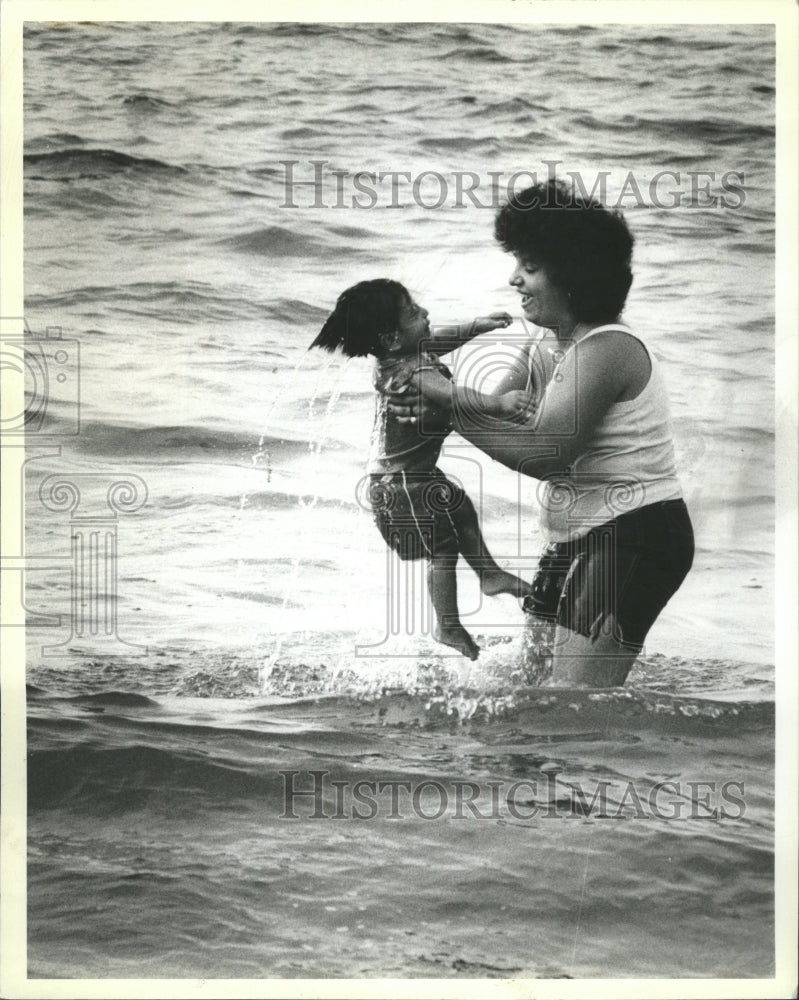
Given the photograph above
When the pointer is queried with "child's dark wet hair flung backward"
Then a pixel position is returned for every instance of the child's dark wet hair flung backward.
(364, 314)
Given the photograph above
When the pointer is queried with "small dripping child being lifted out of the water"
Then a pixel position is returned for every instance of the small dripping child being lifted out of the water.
(419, 511)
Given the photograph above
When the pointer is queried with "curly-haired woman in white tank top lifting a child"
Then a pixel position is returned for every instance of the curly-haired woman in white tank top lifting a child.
(619, 538)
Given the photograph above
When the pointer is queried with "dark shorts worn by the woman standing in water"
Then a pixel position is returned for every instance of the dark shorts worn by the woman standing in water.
(628, 568)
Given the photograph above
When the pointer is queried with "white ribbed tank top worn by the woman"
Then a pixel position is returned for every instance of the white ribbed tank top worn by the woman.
(629, 462)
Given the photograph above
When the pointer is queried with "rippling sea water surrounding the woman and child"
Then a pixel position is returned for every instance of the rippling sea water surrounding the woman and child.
(154, 235)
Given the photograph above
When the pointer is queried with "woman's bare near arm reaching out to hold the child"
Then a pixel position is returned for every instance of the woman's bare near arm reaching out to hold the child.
(592, 377)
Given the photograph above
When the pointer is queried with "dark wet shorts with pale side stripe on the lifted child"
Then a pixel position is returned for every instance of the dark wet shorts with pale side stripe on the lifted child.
(413, 511)
